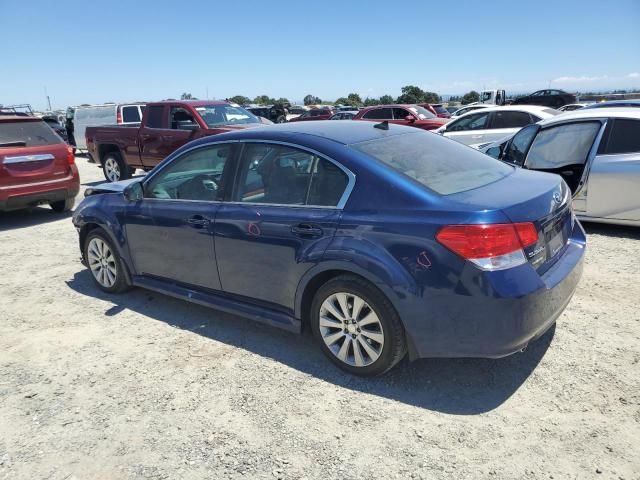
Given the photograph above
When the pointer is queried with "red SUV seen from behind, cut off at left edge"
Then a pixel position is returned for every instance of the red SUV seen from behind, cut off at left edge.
(36, 166)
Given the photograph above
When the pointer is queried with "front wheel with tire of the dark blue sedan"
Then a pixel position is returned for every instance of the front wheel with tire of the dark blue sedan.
(104, 263)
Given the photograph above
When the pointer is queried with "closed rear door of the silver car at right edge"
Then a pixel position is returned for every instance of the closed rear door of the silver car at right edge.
(613, 185)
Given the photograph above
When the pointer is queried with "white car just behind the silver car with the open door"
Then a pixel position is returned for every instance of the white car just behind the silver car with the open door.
(476, 129)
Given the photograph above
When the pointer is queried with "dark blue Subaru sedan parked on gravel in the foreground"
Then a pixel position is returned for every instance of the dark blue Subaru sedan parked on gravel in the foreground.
(384, 240)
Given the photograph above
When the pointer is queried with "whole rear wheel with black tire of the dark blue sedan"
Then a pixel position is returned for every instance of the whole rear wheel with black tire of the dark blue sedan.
(357, 326)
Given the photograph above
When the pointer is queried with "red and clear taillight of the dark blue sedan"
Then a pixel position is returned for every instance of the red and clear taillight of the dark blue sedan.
(491, 247)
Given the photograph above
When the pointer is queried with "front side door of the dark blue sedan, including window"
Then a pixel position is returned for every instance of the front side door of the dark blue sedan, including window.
(170, 231)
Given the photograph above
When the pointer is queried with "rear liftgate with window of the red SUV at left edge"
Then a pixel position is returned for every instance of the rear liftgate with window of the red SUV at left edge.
(30, 152)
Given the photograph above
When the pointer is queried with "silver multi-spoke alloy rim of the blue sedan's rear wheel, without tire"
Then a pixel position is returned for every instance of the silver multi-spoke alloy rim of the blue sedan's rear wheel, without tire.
(351, 329)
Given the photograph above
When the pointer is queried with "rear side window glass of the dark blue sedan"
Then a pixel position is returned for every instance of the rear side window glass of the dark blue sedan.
(280, 175)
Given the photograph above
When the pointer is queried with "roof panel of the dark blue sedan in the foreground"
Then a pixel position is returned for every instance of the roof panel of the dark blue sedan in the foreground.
(345, 133)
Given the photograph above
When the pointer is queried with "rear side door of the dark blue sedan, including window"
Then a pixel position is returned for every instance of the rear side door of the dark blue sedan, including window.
(283, 213)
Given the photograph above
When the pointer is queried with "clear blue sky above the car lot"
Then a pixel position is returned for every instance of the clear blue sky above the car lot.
(98, 51)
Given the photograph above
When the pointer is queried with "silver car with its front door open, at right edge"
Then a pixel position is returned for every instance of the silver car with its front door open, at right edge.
(596, 151)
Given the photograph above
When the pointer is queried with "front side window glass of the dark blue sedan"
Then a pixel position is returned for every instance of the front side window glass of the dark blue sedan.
(195, 175)
